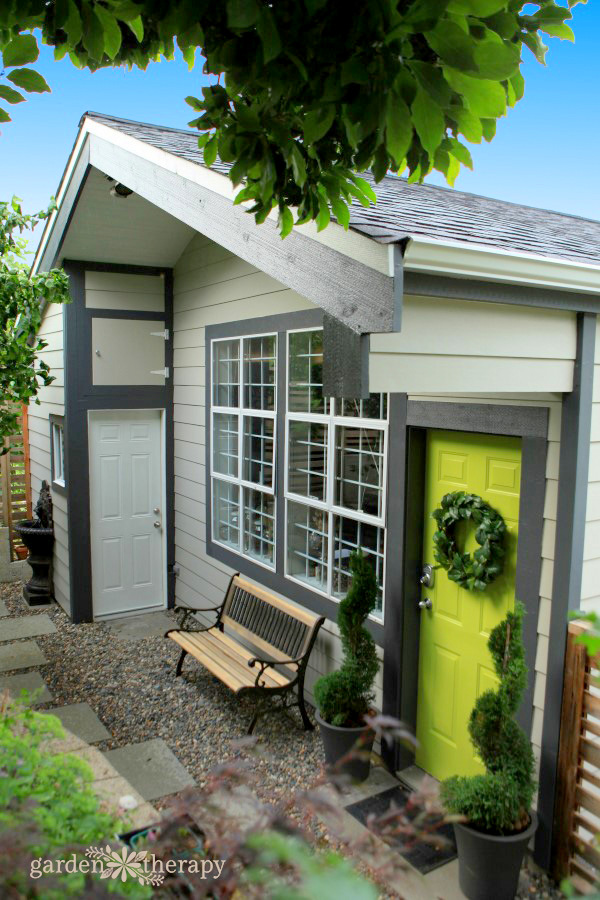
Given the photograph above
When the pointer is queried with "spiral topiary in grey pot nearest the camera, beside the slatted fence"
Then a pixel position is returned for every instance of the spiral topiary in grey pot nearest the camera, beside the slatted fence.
(496, 806)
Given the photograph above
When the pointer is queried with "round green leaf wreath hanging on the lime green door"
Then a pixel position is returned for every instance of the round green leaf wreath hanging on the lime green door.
(471, 572)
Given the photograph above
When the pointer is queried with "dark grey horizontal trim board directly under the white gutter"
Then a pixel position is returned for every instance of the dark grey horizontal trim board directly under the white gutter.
(449, 288)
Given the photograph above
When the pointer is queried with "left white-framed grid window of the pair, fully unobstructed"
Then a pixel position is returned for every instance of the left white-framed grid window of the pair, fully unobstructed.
(243, 445)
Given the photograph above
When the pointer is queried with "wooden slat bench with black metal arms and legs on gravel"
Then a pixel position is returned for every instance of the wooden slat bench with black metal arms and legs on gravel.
(283, 634)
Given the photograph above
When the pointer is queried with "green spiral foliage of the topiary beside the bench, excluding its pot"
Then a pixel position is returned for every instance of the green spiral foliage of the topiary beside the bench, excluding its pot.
(344, 696)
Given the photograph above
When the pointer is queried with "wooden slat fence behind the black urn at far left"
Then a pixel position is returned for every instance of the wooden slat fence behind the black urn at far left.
(15, 484)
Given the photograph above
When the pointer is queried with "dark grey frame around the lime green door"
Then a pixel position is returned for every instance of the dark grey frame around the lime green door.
(403, 620)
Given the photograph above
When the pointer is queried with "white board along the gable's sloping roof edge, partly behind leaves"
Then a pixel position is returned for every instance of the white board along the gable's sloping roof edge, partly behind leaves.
(356, 246)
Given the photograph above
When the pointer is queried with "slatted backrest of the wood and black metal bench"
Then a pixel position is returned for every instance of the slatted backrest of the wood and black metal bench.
(273, 625)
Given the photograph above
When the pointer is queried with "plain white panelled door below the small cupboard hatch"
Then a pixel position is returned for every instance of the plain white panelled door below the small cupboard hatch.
(126, 515)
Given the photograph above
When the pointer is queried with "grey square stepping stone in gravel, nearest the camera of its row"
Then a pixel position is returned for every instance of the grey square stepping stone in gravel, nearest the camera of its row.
(151, 768)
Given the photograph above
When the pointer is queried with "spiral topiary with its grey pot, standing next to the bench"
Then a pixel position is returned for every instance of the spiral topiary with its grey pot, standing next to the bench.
(344, 697)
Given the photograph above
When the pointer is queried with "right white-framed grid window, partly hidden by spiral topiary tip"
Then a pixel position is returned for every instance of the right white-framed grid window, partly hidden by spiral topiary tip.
(335, 475)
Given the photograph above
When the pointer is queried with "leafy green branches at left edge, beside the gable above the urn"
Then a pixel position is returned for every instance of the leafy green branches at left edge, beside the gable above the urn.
(22, 300)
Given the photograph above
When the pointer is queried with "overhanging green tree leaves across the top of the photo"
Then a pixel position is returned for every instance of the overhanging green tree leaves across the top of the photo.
(310, 92)
